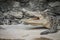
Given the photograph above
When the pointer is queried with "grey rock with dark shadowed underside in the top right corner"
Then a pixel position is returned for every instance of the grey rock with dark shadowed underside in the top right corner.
(55, 7)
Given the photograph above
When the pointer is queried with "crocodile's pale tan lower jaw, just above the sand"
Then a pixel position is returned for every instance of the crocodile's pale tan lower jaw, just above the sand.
(47, 25)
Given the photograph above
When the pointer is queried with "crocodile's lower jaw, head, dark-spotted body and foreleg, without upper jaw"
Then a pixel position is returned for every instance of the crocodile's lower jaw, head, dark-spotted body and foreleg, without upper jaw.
(45, 20)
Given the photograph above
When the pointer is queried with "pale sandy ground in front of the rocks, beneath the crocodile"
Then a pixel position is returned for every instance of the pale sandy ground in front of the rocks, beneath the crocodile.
(20, 32)
